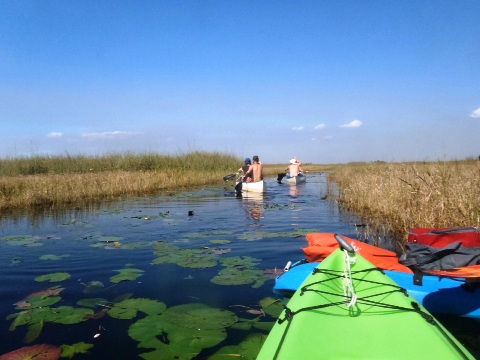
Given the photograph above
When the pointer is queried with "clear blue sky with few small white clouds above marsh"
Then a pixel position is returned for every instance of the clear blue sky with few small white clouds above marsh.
(327, 81)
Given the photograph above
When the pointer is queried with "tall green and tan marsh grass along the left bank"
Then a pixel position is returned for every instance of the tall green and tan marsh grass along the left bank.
(80, 180)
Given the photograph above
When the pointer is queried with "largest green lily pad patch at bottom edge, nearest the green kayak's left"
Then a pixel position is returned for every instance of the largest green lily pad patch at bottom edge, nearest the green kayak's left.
(181, 332)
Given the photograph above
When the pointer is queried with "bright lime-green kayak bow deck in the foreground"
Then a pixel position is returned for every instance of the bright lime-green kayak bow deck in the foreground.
(384, 323)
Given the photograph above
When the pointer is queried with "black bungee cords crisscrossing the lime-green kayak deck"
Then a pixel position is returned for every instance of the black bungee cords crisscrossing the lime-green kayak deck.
(415, 307)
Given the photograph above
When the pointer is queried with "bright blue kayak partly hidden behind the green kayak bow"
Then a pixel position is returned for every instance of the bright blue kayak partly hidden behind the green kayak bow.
(437, 294)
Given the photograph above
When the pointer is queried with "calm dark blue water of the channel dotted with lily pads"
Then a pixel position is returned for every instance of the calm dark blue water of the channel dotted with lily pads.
(94, 246)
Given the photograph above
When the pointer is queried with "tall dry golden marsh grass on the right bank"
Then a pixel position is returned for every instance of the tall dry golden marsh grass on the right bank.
(398, 197)
